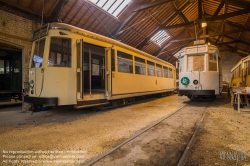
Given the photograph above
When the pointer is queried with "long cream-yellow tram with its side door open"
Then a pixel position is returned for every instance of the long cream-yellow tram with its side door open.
(72, 66)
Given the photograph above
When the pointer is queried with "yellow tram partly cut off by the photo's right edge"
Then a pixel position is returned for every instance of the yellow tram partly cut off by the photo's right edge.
(240, 73)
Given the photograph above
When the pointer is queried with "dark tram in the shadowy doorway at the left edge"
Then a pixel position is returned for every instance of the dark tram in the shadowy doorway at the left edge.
(10, 75)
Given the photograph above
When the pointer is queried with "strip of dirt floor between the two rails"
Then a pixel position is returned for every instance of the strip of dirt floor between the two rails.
(161, 145)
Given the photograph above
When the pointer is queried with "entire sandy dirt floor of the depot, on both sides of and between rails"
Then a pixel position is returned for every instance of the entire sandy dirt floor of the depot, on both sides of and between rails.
(78, 136)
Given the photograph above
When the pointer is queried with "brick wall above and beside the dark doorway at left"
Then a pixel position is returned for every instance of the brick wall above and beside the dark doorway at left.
(16, 29)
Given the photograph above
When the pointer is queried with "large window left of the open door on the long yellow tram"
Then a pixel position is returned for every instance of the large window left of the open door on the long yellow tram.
(60, 52)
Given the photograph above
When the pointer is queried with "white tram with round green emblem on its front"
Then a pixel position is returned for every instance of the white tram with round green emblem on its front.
(199, 71)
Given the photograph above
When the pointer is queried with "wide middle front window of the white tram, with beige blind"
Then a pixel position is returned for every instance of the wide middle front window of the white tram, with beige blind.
(195, 63)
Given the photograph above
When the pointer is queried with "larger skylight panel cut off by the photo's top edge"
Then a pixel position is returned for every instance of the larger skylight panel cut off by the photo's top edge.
(114, 7)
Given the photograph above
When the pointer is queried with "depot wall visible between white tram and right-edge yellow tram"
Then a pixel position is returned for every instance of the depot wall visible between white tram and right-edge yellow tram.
(229, 60)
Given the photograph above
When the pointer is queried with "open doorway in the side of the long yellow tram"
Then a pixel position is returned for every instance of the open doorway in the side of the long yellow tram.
(93, 69)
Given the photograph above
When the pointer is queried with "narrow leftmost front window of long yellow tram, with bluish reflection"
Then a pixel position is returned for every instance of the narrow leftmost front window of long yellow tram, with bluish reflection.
(37, 59)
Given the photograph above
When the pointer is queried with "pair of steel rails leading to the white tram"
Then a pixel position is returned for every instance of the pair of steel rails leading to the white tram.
(185, 153)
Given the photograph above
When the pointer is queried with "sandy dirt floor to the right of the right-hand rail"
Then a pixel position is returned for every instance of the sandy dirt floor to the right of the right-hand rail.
(224, 138)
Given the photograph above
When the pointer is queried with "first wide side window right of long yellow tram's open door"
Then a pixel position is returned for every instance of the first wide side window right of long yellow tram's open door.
(124, 62)
